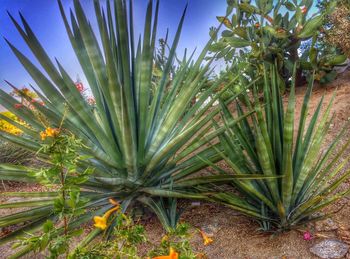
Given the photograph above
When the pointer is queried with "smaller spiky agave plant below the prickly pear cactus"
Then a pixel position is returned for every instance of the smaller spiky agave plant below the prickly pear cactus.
(265, 143)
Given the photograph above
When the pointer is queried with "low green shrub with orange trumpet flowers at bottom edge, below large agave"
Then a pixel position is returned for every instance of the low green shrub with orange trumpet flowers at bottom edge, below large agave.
(127, 235)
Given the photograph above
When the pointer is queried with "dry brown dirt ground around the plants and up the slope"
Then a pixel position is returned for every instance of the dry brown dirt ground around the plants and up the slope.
(238, 237)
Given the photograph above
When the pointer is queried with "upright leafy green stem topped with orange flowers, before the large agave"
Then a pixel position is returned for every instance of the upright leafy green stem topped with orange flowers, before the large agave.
(62, 148)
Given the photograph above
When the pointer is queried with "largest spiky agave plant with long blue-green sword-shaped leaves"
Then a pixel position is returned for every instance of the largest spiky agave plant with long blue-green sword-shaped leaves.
(135, 138)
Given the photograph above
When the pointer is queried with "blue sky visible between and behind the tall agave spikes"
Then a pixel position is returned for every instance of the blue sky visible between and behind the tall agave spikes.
(45, 20)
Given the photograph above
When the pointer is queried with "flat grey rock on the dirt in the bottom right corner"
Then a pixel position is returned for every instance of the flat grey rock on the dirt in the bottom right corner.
(330, 249)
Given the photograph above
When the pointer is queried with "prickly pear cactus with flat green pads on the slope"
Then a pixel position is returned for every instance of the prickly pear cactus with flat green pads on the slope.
(269, 34)
